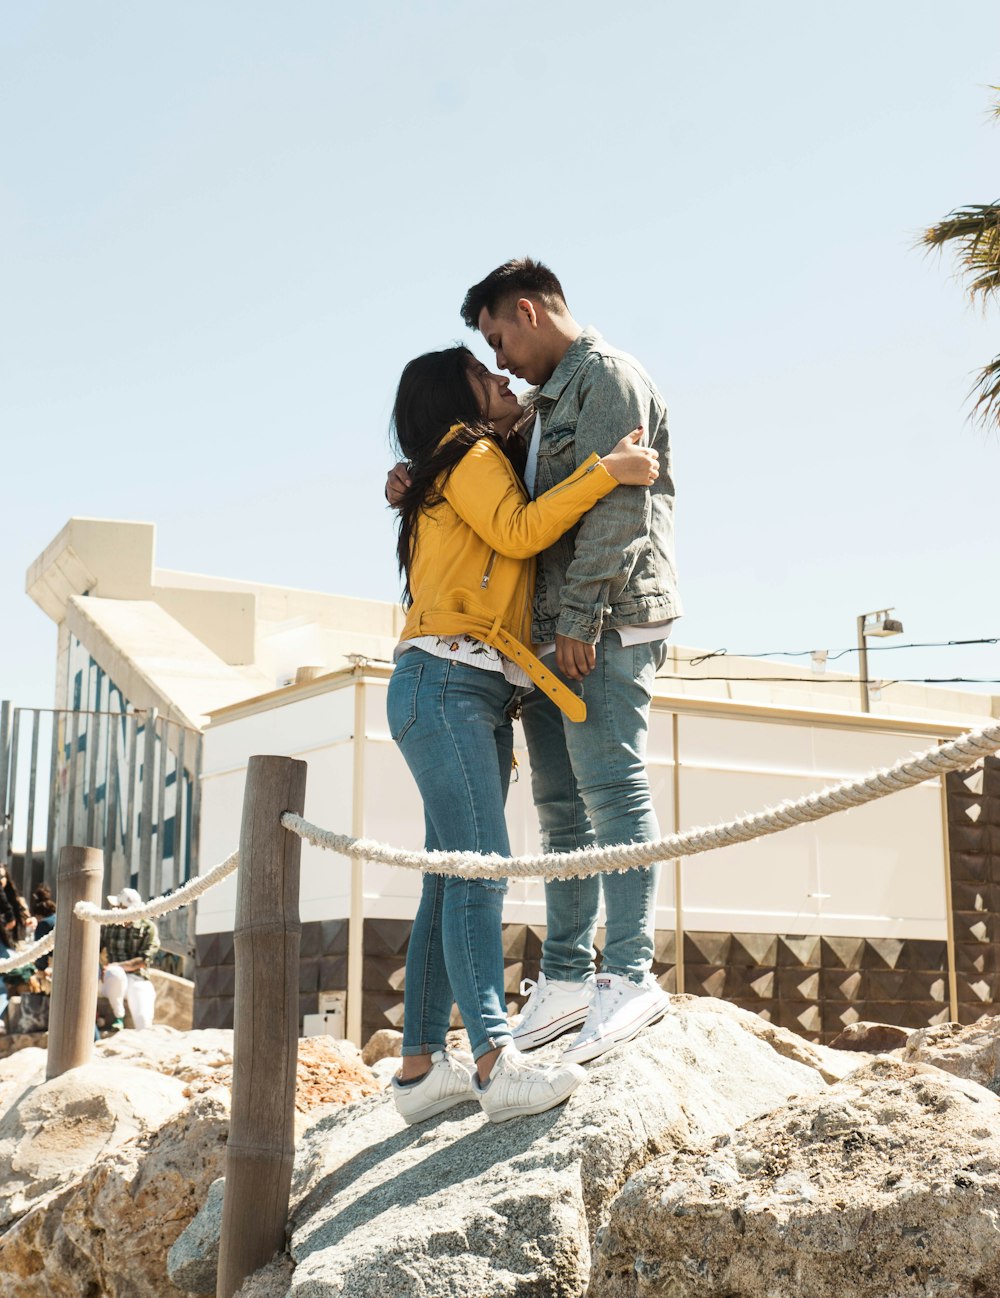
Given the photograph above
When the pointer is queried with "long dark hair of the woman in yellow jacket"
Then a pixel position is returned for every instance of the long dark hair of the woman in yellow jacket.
(436, 393)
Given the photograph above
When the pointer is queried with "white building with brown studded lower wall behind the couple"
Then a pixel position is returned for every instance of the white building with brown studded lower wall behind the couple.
(885, 912)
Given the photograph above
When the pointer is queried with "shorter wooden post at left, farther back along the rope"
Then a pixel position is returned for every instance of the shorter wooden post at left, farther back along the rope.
(76, 962)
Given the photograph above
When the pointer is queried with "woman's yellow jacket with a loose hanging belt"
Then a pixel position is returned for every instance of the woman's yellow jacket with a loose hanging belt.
(473, 568)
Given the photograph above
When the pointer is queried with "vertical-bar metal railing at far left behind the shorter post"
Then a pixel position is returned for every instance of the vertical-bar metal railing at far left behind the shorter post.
(124, 782)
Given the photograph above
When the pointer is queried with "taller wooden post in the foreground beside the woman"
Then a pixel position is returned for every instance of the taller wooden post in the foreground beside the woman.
(266, 1047)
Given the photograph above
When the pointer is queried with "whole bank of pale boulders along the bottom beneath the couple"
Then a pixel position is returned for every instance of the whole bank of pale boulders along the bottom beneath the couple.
(715, 1157)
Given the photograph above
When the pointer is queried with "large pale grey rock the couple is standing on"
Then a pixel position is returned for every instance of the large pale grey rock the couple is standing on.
(458, 1208)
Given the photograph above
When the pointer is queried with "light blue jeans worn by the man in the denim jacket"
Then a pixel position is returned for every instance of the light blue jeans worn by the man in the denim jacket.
(590, 787)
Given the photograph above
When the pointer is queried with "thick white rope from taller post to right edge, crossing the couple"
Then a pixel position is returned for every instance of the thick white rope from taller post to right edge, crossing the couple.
(960, 755)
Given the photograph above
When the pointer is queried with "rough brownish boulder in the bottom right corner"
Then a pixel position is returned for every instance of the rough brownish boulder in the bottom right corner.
(888, 1186)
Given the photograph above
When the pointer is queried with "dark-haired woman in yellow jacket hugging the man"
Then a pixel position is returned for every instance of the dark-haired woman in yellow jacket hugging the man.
(467, 539)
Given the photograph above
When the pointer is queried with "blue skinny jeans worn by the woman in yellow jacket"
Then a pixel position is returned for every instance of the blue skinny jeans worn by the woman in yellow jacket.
(453, 728)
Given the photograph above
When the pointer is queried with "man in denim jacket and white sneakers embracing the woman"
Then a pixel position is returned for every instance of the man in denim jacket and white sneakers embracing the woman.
(606, 598)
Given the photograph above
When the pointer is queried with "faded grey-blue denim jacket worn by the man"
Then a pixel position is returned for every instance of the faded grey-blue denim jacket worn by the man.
(616, 568)
